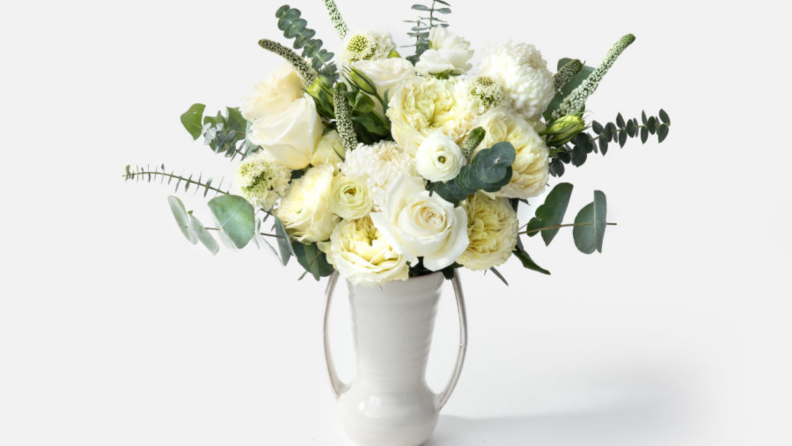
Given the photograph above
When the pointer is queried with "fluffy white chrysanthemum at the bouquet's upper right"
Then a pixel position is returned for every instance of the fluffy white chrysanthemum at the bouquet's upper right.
(523, 73)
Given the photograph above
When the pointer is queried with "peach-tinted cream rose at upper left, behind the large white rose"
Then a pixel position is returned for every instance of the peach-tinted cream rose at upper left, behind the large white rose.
(273, 95)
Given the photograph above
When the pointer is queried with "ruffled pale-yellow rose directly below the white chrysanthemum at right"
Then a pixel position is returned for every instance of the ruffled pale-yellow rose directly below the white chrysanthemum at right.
(532, 166)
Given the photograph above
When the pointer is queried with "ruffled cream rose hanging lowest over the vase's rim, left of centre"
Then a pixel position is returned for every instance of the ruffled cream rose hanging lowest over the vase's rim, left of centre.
(359, 252)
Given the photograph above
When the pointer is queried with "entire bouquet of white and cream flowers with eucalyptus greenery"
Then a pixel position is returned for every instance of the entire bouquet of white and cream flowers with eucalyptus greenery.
(383, 168)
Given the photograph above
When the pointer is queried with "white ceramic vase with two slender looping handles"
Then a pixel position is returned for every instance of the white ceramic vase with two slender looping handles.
(389, 403)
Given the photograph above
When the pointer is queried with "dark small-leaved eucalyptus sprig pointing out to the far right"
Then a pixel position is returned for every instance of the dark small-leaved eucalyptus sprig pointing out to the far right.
(617, 132)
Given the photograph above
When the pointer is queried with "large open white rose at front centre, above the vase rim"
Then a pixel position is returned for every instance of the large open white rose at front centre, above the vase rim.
(417, 224)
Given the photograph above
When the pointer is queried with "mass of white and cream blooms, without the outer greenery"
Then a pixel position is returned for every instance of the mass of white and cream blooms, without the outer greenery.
(367, 207)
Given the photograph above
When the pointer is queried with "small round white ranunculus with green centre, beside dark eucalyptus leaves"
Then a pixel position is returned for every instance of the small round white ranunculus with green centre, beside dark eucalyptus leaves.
(439, 158)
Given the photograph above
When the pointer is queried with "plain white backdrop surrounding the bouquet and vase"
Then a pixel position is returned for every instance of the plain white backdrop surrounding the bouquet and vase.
(115, 331)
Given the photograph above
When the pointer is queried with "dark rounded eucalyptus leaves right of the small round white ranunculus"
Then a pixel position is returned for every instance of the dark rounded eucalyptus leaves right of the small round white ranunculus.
(489, 171)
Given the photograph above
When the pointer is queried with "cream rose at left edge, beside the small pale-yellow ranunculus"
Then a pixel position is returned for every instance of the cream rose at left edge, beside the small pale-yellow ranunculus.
(305, 210)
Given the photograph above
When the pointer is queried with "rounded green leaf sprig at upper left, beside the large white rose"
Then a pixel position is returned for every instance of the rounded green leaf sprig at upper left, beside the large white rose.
(224, 134)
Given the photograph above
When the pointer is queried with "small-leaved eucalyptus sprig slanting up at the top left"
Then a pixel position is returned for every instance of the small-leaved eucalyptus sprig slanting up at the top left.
(295, 27)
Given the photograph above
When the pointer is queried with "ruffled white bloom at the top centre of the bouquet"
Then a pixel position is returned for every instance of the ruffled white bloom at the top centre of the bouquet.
(449, 54)
